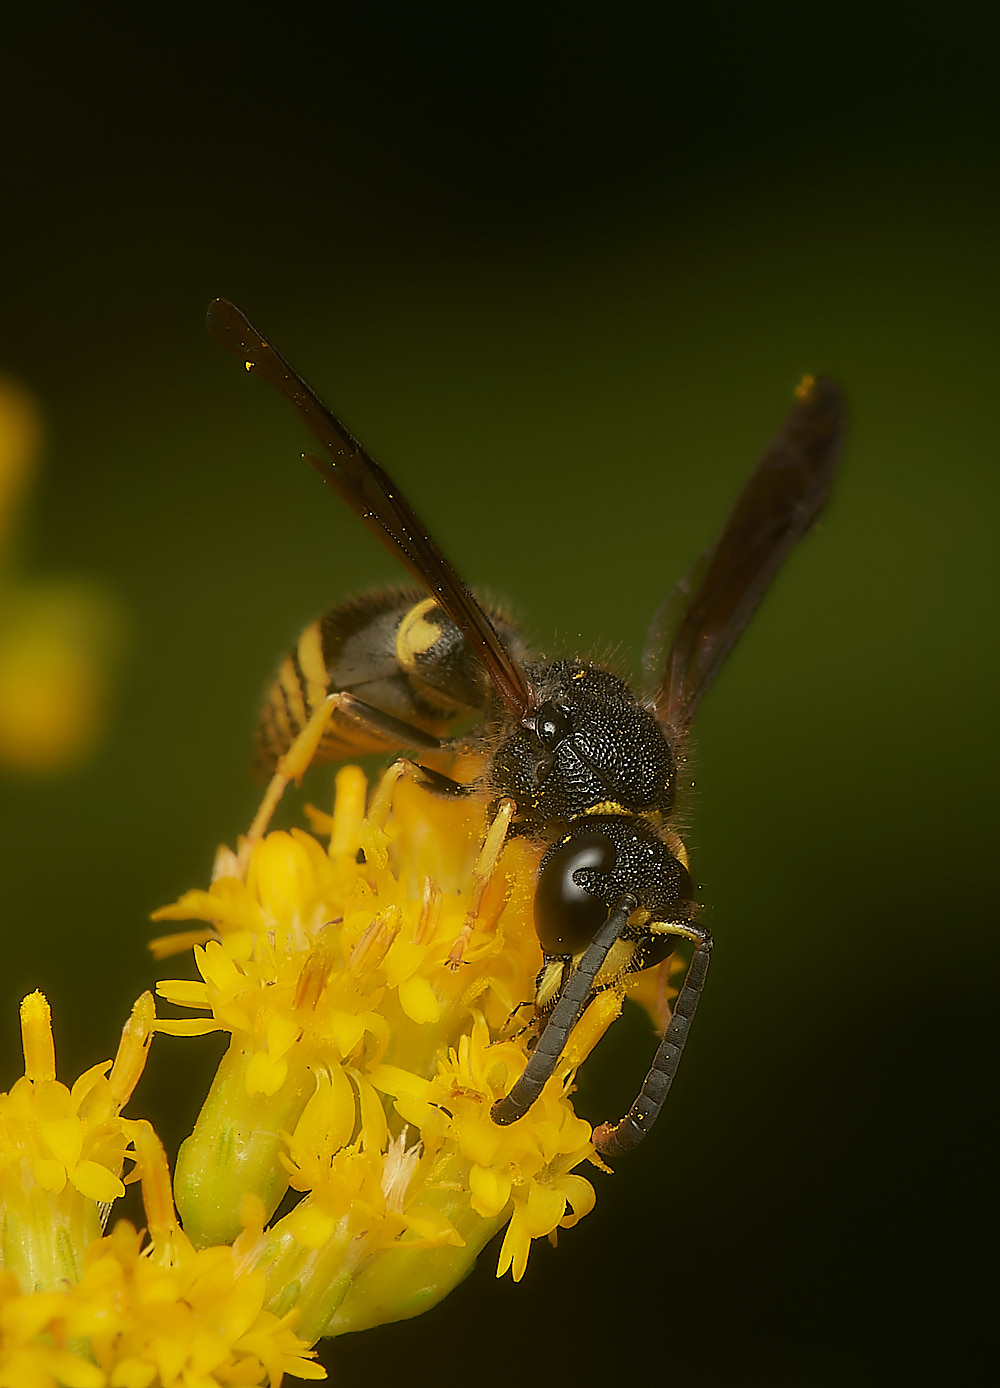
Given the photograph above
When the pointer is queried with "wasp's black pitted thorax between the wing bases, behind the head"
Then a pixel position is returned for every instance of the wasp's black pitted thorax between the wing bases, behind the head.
(587, 746)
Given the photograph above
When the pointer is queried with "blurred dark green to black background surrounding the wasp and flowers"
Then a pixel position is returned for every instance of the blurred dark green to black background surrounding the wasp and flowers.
(562, 267)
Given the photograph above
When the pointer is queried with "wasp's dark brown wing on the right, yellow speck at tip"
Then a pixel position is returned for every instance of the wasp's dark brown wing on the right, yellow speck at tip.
(780, 505)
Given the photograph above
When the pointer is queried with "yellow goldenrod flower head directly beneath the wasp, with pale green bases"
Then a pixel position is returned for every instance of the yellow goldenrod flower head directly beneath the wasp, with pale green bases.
(365, 993)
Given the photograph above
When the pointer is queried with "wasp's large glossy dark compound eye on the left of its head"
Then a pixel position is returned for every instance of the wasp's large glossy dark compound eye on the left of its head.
(567, 917)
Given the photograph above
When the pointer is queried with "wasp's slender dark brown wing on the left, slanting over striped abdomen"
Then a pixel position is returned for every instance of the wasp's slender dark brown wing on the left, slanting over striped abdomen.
(373, 496)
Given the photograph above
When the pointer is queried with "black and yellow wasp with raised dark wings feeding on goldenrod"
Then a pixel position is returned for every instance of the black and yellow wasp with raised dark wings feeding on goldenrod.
(590, 765)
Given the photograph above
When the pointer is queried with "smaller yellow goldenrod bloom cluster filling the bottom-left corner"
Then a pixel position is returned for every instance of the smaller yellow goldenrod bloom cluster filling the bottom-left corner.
(94, 1312)
